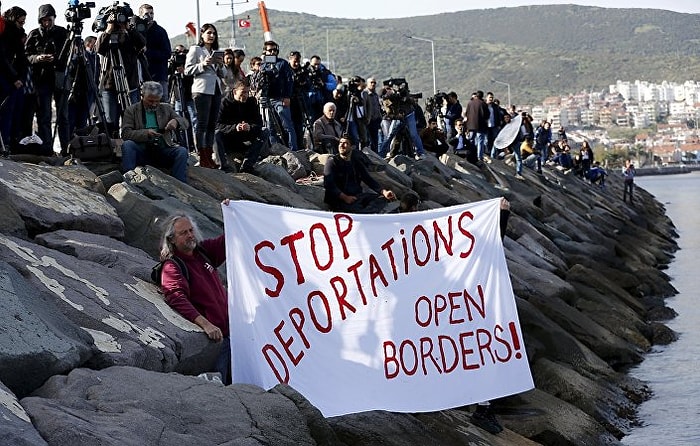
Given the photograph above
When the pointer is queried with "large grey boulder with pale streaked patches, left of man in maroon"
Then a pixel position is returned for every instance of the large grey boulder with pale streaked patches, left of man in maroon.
(125, 317)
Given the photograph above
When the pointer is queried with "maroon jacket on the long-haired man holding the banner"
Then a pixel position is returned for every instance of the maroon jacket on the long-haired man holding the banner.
(204, 294)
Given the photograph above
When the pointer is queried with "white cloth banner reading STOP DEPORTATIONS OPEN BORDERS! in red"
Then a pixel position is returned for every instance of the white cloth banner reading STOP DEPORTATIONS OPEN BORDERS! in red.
(405, 312)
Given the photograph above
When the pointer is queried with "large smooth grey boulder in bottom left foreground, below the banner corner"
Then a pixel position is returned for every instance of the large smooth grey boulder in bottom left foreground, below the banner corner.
(127, 405)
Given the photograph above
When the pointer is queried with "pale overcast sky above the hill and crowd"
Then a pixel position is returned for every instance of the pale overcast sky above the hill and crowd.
(173, 15)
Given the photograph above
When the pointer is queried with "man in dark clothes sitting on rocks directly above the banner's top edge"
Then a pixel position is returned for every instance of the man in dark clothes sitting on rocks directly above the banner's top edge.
(343, 176)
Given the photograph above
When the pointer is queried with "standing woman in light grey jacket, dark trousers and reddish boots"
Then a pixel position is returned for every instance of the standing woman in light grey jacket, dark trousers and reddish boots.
(206, 65)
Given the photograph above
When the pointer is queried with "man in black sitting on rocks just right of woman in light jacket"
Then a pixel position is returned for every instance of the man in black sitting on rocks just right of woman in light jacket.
(239, 129)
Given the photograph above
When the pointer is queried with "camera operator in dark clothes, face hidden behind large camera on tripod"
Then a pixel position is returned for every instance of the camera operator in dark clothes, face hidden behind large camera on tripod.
(119, 46)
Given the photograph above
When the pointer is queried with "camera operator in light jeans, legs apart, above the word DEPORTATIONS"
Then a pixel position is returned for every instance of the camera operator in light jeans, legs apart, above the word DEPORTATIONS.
(399, 106)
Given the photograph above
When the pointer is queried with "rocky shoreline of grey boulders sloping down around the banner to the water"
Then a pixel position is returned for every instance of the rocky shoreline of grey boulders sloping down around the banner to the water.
(90, 354)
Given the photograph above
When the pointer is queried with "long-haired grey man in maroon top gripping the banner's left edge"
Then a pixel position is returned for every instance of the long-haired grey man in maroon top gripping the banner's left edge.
(195, 291)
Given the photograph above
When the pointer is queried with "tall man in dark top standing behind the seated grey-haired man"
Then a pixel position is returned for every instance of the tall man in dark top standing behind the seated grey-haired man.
(158, 47)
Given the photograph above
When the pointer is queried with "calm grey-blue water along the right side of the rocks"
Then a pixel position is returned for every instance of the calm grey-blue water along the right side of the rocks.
(672, 415)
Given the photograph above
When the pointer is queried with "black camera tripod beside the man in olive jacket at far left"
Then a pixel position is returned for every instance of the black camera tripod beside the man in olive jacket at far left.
(75, 66)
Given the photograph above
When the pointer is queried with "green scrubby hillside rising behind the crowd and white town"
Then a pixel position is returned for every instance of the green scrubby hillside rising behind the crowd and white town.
(538, 50)
